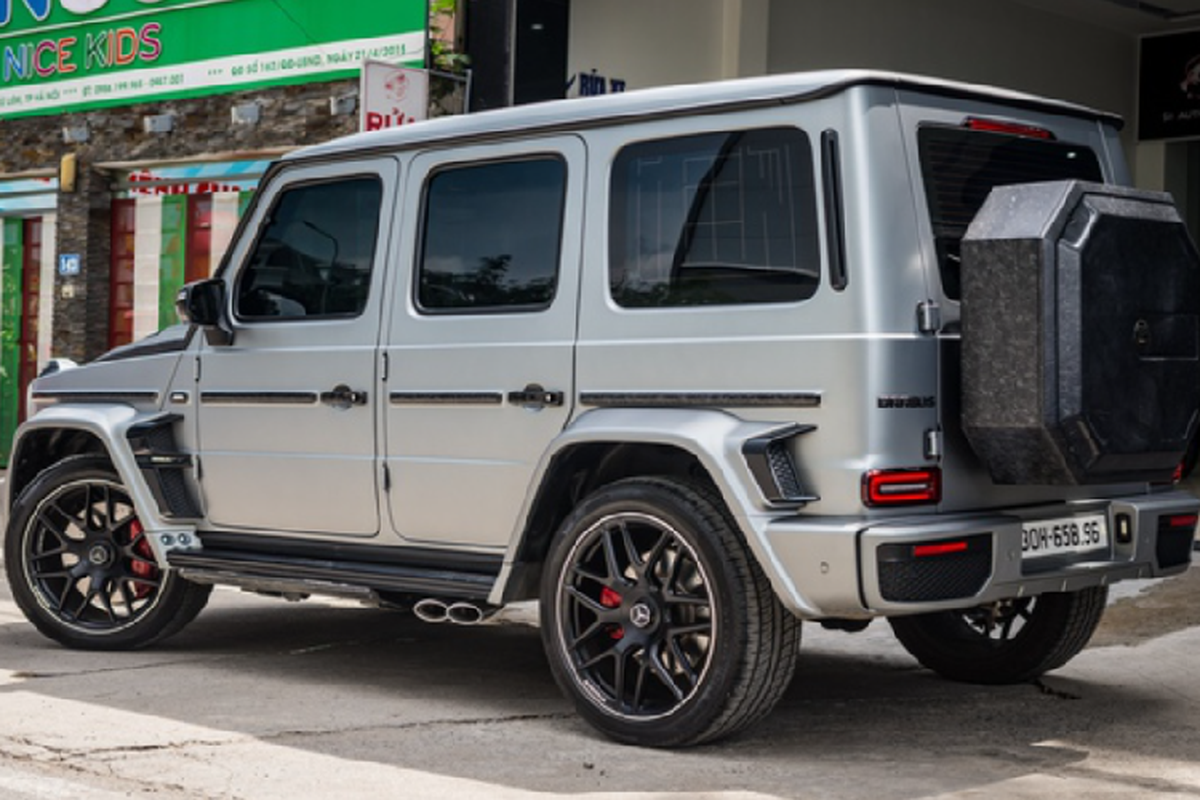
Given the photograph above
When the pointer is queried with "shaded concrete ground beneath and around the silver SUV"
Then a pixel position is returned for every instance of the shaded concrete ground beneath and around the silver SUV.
(481, 703)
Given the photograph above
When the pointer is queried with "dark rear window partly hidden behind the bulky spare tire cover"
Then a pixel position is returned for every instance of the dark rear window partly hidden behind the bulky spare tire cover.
(961, 167)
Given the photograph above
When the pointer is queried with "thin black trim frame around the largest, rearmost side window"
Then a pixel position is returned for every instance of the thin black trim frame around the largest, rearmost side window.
(614, 207)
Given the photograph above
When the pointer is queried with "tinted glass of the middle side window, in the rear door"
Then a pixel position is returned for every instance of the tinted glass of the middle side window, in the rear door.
(491, 237)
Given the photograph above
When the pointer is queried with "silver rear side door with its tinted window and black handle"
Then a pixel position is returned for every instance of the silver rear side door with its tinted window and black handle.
(481, 346)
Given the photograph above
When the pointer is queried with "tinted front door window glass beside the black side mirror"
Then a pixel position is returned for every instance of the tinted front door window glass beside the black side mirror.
(315, 255)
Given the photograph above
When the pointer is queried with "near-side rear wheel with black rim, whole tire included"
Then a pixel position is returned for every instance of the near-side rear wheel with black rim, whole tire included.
(657, 621)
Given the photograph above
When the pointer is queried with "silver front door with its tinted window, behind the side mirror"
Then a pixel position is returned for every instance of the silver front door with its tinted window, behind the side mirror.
(287, 412)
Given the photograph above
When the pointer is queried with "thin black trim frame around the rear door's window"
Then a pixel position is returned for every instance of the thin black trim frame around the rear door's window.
(423, 230)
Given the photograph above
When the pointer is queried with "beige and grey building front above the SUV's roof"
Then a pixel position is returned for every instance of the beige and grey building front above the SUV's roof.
(1081, 51)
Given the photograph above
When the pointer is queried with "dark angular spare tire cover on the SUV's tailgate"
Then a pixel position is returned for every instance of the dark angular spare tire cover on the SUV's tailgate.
(1081, 330)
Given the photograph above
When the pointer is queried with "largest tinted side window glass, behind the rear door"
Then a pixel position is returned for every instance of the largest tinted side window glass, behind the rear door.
(715, 219)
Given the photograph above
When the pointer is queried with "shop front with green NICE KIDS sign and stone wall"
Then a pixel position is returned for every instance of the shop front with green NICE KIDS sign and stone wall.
(134, 134)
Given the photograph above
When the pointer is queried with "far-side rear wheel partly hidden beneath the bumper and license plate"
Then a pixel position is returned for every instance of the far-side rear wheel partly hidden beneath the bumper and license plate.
(1009, 642)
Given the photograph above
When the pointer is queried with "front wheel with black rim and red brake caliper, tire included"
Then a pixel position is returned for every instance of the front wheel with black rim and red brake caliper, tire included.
(81, 567)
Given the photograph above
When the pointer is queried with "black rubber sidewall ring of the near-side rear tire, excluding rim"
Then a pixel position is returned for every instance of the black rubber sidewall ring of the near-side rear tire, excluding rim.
(728, 601)
